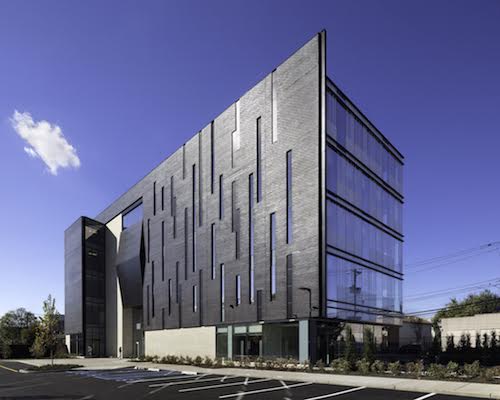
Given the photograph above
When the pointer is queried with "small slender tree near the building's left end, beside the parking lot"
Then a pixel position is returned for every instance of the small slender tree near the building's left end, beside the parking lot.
(46, 336)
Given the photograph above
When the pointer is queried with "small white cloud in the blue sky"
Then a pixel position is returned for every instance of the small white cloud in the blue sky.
(46, 141)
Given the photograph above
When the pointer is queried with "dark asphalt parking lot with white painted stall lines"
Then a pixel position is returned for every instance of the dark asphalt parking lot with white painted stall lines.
(131, 383)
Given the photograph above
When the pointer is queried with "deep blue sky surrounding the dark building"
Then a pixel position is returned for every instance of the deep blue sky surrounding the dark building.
(128, 82)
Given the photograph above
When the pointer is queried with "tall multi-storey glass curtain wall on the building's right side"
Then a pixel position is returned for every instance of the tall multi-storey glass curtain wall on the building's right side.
(364, 222)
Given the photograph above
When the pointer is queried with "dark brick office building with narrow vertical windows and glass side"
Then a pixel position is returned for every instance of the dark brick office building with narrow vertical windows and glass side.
(276, 221)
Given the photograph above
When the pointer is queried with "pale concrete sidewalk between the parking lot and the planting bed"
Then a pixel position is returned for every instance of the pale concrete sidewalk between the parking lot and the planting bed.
(484, 390)
